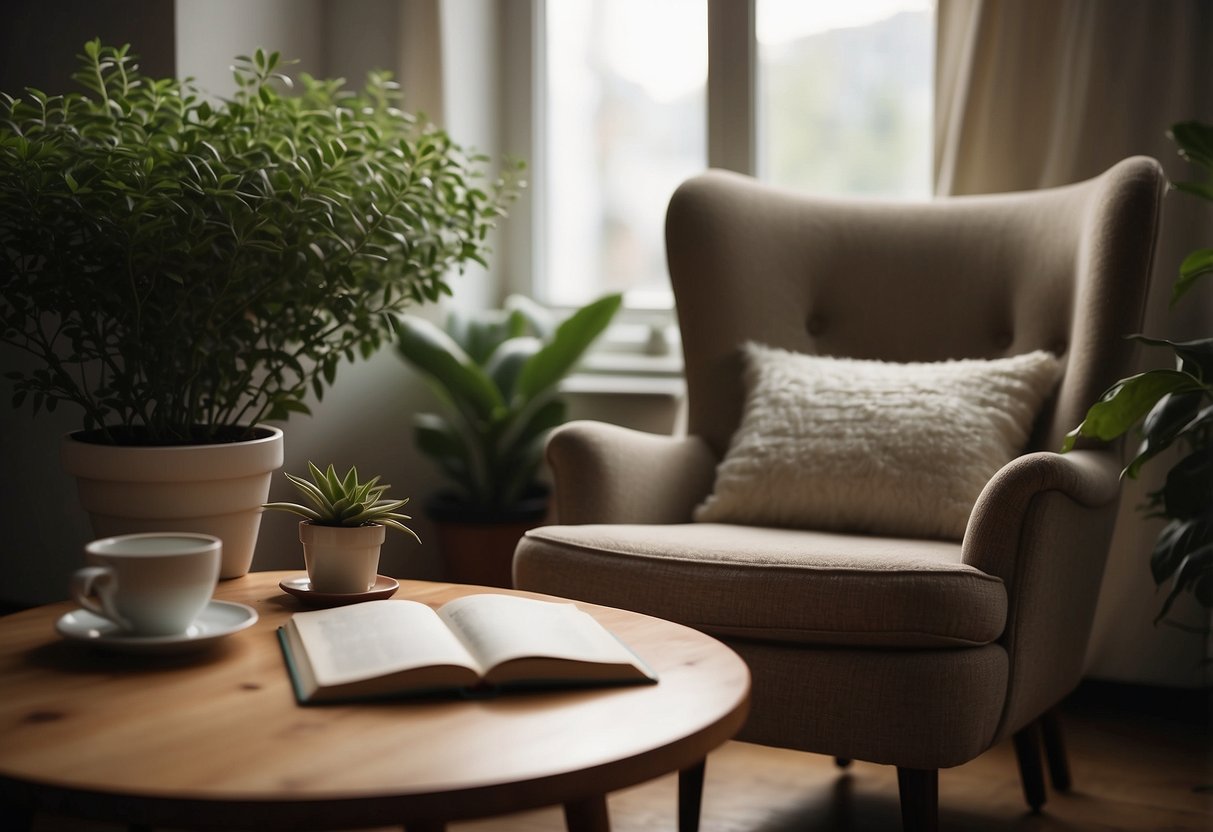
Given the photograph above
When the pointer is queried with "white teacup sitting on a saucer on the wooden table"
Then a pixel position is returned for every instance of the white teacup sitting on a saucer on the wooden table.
(150, 584)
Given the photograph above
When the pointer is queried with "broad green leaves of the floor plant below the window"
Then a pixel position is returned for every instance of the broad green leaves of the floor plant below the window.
(498, 373)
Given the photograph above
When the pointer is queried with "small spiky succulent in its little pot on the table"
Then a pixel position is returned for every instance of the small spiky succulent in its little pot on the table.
(344, 528)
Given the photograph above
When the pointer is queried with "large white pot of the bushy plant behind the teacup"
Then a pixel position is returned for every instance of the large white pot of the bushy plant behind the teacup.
(215, 489)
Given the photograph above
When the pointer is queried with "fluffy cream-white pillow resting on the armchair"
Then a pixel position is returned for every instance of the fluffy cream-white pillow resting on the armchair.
(873, 447)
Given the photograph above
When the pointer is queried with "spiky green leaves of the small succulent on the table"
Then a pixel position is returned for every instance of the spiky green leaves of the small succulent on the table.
(345, 502)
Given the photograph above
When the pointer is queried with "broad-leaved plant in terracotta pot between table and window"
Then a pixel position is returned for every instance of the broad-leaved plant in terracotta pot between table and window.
(498, 373)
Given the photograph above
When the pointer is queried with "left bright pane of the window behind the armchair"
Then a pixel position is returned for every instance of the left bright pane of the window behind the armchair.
(624, 127)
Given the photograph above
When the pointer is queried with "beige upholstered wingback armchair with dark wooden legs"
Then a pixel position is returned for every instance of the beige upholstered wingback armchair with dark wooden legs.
(916, 652)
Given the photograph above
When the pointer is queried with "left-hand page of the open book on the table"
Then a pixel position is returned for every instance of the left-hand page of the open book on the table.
(375, 639)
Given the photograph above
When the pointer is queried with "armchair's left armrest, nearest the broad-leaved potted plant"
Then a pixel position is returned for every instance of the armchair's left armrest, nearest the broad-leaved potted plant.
(606, 474)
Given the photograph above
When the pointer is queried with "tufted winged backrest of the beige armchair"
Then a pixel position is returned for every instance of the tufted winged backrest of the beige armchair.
(967, 277)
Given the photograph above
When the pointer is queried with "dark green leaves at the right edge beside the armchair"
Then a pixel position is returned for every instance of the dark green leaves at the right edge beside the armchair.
(1174, 409)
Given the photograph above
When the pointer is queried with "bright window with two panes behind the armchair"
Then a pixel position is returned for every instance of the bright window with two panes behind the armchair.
(825, 98)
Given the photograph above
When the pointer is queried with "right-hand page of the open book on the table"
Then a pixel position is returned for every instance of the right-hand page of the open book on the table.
(499, 629)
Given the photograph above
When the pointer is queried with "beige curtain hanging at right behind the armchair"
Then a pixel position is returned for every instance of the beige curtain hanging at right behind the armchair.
(1033, 94)
